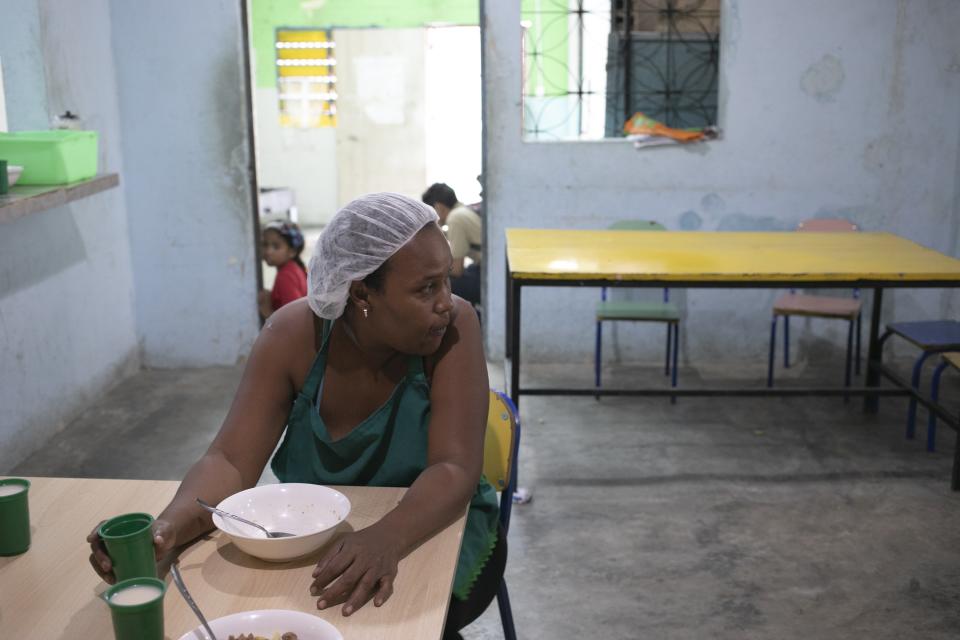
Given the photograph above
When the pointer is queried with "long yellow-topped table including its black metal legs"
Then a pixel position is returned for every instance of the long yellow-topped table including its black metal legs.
(564, 258)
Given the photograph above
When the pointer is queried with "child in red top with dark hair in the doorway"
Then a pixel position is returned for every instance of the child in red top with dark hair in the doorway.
(282, 245)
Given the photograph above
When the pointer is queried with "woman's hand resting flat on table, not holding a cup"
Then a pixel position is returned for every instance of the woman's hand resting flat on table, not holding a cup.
(360, 566)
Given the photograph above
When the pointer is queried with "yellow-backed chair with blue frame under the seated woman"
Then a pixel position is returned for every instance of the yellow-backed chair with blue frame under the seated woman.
(500, 452)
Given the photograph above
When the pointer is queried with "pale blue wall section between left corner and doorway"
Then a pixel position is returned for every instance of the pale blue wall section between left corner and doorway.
(182, 97)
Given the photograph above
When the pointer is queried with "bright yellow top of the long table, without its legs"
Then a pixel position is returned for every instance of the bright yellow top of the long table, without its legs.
(720, 256)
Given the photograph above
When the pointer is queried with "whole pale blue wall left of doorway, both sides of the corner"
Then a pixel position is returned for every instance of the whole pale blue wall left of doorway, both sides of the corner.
(159, 272)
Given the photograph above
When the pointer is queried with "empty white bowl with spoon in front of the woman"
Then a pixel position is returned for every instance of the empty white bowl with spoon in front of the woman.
(310, 511)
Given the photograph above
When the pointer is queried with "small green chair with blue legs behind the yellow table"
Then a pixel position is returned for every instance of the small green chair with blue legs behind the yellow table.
(626, 311)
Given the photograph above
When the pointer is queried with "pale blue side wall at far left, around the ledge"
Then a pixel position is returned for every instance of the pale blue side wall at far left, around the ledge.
(66, 290)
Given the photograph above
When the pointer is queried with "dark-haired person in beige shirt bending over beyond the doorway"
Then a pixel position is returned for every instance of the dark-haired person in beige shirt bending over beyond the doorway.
(465, 234)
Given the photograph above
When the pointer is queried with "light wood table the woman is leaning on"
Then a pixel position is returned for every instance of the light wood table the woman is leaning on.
(50, 592)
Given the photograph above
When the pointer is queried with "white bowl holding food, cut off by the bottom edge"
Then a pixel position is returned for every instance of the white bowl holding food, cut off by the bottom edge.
(270, 624)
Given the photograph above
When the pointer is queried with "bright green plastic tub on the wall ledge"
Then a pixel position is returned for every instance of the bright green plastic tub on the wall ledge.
(51, 157)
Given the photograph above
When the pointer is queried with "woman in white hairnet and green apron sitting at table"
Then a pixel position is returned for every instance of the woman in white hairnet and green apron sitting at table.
(379, 378)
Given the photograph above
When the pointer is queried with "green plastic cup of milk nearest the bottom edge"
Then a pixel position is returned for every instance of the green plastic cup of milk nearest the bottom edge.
(136, 606)
